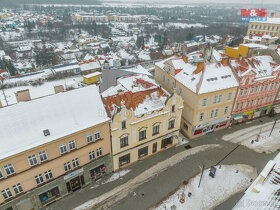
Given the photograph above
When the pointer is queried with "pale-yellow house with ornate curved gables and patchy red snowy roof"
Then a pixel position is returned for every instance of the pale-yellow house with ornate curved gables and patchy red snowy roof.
(144, 119)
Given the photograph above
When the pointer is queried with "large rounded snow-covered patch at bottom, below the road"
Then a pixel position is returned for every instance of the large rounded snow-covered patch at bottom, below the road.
(212, 191)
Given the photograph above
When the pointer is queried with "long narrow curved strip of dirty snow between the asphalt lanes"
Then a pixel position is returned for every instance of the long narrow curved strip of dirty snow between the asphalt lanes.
(107, 199)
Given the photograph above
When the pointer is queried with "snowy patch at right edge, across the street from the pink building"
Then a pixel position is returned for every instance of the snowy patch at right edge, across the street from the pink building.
(257, 137)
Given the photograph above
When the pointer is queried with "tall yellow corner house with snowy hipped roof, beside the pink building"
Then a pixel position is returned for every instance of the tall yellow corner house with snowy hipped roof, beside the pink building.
(207, 88)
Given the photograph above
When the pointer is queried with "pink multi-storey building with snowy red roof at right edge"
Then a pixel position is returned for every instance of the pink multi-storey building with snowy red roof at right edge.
(259, 79)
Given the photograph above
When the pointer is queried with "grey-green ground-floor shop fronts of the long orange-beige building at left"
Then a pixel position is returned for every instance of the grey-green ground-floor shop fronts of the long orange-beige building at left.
(61, 186)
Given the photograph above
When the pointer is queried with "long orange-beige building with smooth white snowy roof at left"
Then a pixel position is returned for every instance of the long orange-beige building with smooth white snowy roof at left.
(52, 146)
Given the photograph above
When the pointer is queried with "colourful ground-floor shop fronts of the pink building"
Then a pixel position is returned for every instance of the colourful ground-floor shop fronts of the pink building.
(251, 114)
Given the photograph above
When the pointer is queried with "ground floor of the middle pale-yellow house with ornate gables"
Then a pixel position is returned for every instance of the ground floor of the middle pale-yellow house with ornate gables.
(144, 150)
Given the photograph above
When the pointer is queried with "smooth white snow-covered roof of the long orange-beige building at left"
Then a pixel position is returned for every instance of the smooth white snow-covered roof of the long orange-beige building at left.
(22, 125)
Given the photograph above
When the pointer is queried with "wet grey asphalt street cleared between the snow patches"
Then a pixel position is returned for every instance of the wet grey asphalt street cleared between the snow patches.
(158, 188)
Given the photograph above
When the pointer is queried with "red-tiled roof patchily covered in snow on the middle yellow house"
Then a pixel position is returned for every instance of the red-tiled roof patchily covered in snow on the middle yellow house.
(138, 93)
